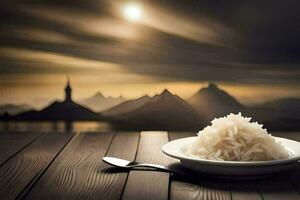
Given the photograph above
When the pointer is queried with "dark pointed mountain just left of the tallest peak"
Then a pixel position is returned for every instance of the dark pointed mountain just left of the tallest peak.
(161, 112)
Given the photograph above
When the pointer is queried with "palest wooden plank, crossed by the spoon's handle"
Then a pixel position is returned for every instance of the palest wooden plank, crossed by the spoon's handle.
(149, 184)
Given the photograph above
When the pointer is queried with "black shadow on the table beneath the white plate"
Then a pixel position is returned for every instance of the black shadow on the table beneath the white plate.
(272, 183)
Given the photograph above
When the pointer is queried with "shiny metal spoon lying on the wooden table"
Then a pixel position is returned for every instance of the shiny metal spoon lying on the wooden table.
(133, 165)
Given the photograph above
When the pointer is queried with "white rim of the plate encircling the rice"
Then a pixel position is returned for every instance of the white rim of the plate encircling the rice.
(180, 156)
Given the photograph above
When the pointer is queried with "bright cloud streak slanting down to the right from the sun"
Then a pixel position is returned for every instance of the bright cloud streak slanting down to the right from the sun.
(182, 26)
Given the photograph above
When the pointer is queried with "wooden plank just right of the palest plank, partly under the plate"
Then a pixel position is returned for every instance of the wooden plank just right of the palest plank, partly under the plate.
(198, 188)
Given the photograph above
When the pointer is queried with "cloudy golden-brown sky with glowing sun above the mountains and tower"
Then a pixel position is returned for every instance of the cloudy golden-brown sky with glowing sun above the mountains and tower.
(250, 48)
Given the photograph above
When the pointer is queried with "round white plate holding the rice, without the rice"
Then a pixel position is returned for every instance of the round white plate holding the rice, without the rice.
(233, 168)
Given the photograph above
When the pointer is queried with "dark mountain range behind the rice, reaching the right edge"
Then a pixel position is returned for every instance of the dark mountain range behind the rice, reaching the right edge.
(167, 110)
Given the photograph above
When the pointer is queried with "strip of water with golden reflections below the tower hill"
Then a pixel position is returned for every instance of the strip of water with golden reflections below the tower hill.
(58, 126)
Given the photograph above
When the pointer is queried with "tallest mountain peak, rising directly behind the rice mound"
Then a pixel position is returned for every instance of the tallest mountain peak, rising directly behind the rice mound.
(211, 102)
